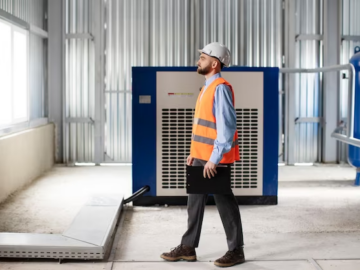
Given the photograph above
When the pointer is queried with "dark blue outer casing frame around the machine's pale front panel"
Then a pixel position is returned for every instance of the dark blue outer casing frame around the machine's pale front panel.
(144, 135)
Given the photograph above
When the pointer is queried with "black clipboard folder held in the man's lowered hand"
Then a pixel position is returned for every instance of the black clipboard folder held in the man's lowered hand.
(219, 184)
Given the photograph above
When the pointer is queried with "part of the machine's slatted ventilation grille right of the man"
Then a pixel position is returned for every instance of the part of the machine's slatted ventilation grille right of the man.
(245, 172)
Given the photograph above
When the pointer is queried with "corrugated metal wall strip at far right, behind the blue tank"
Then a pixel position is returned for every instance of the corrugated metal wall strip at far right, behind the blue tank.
(350, 27)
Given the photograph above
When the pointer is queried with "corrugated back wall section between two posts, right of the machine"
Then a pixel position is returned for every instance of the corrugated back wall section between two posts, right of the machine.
(308, 88)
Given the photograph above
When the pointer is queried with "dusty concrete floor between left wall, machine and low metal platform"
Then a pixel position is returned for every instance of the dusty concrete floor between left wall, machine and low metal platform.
(50, 203)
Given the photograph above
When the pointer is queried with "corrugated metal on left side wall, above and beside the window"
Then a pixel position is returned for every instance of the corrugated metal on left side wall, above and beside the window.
(33, 12)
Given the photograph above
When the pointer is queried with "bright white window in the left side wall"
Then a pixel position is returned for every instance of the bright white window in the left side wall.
(14, 69)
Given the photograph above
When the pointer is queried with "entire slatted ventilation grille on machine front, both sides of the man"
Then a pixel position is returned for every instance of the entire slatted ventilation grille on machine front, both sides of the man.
(176, 140)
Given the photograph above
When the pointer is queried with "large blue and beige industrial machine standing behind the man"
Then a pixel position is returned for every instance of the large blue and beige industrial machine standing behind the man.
(163, 107)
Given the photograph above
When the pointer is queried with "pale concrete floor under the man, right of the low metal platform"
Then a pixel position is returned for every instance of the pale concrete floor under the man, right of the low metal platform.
(314, 223)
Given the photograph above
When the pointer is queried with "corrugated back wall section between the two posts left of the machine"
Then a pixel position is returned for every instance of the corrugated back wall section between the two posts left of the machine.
(80, 82)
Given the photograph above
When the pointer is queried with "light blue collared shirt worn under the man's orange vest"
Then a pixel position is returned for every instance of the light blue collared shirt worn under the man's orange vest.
(225, 116)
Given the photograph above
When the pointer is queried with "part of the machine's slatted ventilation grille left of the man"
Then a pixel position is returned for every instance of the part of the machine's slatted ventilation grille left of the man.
(176, 140)
